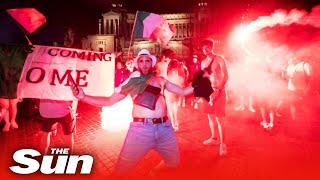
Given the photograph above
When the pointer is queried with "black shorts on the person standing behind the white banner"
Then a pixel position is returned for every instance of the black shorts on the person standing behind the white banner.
(50, 124)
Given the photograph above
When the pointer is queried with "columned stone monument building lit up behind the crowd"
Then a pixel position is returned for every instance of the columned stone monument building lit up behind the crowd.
(116, 25)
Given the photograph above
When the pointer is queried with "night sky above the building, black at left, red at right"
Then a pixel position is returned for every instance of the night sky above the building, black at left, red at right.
(84, 14)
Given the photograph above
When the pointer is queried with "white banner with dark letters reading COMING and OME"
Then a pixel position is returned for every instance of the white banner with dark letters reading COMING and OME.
(47, 70)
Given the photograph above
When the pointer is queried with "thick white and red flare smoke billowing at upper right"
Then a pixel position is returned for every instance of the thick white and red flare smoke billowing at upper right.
(272, 40)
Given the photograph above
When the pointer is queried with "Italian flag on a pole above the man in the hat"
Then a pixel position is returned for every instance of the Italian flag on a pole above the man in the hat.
(153, 26)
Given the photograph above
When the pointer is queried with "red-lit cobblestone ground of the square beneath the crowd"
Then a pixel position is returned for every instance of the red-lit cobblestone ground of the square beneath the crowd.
(289, 151)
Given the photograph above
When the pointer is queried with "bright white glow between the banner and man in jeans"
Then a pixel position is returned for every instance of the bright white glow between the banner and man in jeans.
(117, 117)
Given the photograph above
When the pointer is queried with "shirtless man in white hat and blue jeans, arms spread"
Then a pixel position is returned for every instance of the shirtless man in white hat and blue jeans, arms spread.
(150, 128)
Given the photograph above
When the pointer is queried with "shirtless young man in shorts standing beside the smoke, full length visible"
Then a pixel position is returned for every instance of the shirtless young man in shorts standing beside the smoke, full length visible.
(216, 70)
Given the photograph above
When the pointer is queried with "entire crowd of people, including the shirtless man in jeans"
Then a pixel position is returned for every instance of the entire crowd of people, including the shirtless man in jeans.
(159, 88)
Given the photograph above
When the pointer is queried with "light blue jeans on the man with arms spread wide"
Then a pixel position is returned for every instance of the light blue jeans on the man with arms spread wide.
(141, 138)
